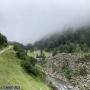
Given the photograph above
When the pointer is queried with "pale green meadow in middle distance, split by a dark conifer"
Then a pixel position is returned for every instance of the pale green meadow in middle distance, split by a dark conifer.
(37, 52)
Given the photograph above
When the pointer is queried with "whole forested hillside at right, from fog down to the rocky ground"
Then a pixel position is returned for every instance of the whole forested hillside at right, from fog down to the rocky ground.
(71, 40)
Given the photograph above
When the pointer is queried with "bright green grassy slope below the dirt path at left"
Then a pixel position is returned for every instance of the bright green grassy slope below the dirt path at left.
(11, 73)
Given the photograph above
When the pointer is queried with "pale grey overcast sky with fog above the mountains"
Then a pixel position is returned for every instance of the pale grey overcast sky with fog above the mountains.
(29, 20)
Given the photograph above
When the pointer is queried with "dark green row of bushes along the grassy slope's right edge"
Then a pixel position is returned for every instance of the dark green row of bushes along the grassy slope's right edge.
(28, 63)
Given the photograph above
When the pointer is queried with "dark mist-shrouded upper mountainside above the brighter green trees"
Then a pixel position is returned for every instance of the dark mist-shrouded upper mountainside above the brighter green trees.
(77, 36)
